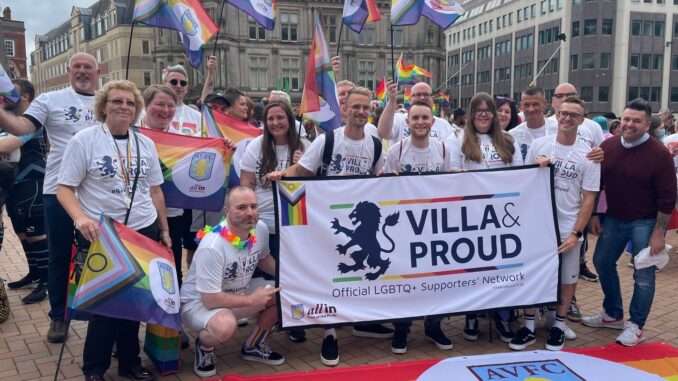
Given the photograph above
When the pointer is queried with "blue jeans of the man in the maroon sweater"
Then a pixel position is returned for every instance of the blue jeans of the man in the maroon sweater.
(616, 233)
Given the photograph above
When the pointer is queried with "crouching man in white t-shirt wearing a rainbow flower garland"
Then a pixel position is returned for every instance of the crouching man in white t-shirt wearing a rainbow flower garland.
(219, 288)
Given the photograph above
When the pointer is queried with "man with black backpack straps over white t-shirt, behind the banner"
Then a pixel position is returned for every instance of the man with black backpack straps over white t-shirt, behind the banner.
(354, 153)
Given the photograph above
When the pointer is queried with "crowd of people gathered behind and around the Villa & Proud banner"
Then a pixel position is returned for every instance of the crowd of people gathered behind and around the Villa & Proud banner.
(614, 177)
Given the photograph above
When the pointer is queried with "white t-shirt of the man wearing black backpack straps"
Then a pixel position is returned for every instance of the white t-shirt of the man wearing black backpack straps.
(349, 157)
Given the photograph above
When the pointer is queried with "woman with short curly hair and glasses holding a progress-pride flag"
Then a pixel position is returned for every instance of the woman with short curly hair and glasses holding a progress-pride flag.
(100, 168)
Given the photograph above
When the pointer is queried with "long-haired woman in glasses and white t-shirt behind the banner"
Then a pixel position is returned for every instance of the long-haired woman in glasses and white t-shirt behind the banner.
(484, 145)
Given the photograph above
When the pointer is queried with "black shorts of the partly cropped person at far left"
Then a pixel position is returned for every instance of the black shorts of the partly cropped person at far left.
(25, 208)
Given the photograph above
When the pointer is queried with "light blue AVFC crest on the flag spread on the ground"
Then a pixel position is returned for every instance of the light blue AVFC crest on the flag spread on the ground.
(544, 370)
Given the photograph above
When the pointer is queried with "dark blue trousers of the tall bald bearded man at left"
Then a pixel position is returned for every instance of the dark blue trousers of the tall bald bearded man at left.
(60, 239)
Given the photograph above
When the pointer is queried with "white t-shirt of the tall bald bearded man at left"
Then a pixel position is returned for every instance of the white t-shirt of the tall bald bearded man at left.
(63, 113)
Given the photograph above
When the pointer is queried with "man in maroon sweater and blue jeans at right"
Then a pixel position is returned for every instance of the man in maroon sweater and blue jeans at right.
(639, 178)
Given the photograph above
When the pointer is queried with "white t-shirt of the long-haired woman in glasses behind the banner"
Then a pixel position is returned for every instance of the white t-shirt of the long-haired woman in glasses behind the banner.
(490, 157)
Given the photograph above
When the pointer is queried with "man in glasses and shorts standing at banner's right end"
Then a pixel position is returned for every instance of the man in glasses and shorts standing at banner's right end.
(576, 182)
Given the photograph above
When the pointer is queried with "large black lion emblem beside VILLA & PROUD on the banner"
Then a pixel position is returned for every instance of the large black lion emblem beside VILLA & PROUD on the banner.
(368, 215)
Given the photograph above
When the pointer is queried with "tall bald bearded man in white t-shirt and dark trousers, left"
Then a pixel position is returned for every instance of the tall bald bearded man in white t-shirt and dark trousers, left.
(63, 113)
